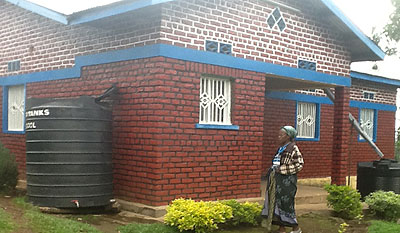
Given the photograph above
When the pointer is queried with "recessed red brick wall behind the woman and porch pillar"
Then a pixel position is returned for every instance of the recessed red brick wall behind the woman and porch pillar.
(318, 154)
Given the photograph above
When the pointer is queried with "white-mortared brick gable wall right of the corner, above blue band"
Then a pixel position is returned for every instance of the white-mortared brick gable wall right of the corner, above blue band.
(243, 24)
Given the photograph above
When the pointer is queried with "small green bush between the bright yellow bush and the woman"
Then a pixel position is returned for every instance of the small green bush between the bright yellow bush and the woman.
(247, 213)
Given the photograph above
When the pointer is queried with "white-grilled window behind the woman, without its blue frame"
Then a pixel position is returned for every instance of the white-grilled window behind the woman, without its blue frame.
(306, 120)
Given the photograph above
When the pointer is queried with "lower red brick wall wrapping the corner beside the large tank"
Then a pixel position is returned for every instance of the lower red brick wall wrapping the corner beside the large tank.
(158, 153)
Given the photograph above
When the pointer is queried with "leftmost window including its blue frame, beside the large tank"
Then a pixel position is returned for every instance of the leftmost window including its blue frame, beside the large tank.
(14, 109)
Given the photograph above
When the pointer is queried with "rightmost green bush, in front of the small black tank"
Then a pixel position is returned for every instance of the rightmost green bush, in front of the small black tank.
(384, 204)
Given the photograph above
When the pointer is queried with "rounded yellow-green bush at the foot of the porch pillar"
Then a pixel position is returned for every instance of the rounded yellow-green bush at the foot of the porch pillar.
(344, 200)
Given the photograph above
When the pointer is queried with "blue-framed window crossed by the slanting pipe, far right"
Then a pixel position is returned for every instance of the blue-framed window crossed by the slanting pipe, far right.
(368, 119)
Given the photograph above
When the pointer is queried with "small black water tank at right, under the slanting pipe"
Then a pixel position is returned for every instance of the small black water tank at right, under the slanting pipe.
(381, 174)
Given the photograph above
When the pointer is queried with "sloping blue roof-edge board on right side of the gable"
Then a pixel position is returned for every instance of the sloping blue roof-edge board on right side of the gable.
(368, 42)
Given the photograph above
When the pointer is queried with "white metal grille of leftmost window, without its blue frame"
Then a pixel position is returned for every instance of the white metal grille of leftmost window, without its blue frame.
(16, 108)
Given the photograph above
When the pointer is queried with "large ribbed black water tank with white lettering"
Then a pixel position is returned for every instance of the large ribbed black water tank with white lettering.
(68, 153)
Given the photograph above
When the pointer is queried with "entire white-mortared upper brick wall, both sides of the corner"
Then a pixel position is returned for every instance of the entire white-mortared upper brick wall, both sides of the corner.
(43, 44)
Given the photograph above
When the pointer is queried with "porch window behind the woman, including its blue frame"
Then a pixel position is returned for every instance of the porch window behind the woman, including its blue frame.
(307, 121)
